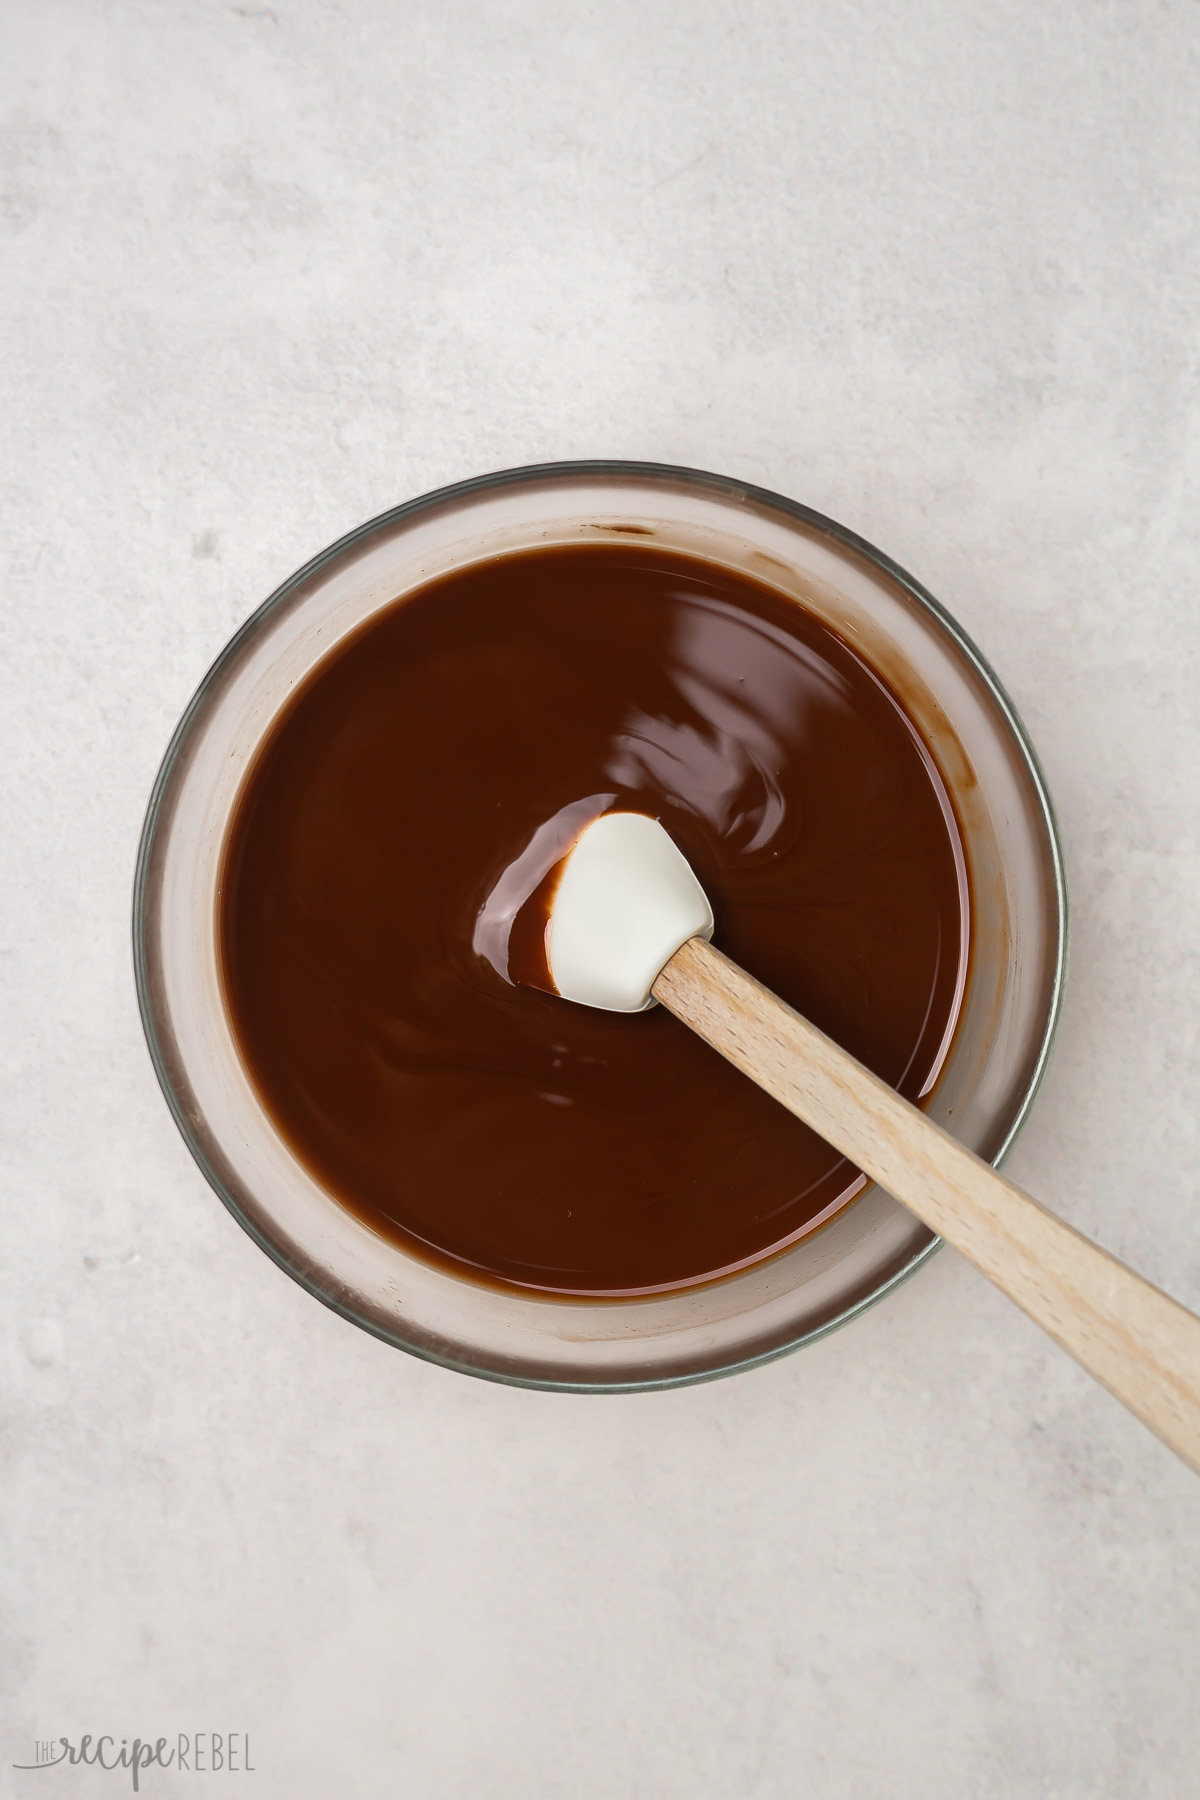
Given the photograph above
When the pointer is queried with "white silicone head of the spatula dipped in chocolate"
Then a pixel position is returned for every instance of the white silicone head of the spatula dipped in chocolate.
(625, 903)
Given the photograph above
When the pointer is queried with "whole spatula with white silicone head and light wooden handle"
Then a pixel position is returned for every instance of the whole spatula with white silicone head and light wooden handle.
(631, 926)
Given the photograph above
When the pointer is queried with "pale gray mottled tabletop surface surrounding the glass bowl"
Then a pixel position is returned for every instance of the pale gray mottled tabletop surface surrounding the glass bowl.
(271, 269)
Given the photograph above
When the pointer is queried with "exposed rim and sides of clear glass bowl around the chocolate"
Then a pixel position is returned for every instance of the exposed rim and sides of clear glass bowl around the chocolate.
(1014, 985)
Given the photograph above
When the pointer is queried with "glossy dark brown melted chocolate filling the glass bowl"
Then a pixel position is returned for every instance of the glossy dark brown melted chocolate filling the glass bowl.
(418, 793)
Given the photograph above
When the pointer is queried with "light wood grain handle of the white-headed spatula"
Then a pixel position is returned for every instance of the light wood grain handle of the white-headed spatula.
(1138, 1342)
